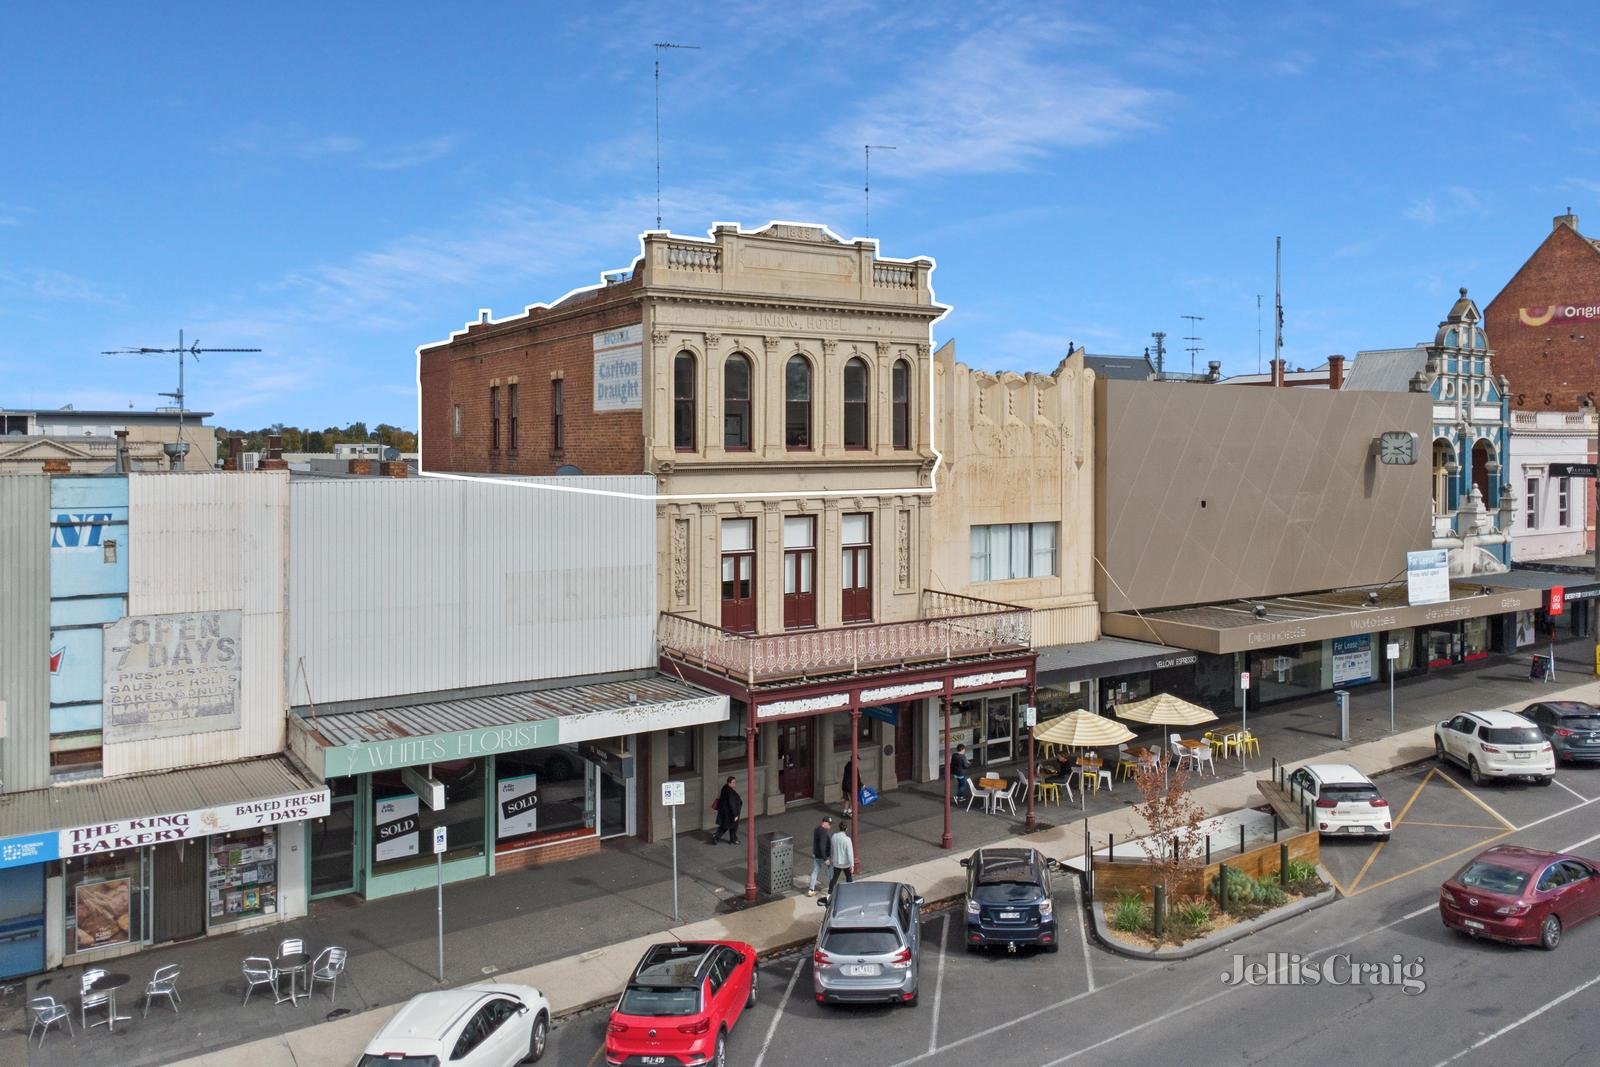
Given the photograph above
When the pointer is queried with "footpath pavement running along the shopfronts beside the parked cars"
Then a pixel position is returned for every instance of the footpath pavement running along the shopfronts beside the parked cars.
(577, 930)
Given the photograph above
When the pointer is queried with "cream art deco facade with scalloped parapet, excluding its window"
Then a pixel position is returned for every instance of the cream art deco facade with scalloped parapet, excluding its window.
(1018, 449)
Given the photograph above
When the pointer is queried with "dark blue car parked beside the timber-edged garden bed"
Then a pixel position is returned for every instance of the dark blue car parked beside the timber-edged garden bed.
(1009, 900)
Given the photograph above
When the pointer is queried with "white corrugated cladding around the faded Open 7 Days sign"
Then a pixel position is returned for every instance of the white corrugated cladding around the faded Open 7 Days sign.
(214, 541)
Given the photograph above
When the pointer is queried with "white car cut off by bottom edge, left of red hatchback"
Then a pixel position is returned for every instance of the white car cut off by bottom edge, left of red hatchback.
(479, 1026)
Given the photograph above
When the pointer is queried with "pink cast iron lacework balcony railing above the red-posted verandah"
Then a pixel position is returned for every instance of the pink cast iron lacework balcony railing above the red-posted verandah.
(950, 628)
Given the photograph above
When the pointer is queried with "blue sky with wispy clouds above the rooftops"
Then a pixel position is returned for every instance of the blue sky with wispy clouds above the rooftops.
(337, 186)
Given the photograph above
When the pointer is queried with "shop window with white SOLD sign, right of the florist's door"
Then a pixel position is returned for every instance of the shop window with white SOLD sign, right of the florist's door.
(543, 796)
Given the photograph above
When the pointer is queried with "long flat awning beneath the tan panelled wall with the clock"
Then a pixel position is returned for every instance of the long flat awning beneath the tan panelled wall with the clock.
(1241, 626)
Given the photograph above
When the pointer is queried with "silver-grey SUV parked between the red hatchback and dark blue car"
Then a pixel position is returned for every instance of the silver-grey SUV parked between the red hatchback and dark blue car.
(870, 948)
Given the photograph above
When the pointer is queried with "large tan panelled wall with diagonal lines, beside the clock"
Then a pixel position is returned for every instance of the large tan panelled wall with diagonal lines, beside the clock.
(1214, 494)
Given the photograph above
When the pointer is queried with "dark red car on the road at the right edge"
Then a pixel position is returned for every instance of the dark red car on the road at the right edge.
(1521, 895)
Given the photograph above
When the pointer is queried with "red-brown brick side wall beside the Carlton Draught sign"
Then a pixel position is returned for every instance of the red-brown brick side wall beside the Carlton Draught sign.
(535, 350)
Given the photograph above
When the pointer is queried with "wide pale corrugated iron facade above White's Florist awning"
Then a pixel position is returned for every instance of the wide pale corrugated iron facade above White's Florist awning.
(430, 585)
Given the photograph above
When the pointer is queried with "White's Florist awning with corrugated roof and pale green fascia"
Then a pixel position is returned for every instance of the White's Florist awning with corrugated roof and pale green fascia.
(337, 745)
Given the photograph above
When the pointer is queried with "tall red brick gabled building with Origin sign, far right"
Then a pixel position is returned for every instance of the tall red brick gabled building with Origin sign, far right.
(1545, 326)
